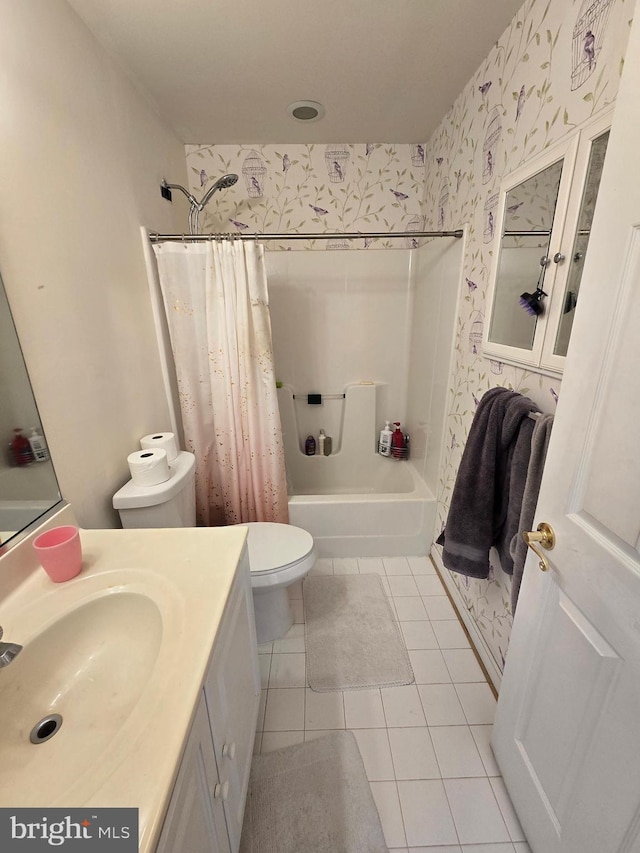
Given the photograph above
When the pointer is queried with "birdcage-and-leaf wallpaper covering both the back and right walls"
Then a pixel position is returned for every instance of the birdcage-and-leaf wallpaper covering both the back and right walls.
(558, 64)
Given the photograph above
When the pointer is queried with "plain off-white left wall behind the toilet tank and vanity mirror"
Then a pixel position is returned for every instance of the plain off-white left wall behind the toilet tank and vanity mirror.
(82, 159)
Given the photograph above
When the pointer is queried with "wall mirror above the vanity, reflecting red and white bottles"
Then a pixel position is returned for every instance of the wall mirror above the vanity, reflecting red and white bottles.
(28, 484)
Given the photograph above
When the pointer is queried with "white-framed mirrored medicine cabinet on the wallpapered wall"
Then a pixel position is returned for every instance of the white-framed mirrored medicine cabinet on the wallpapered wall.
(544, 221)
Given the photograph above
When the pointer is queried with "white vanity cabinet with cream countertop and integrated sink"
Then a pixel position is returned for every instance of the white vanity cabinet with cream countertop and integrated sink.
(150, 658)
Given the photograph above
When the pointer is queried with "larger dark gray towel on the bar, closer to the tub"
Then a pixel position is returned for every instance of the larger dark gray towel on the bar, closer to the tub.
(481, 513)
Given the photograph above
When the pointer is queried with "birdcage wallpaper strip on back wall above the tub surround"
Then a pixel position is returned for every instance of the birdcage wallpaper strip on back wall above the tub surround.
(311, 188)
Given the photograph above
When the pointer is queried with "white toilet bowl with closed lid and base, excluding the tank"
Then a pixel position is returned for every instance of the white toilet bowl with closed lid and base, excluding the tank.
(279, 555)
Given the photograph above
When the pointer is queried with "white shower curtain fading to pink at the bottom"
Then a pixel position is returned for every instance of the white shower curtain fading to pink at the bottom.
(216, 302)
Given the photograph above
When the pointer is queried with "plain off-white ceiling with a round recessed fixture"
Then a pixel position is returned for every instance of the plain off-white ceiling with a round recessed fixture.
(224, 72)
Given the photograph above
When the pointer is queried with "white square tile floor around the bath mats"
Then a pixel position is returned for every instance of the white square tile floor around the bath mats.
(426, 746)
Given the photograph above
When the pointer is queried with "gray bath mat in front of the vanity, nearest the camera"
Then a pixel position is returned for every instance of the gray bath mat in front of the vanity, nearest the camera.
(313, 797)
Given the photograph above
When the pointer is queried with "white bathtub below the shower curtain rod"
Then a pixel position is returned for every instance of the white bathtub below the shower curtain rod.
(386, 510)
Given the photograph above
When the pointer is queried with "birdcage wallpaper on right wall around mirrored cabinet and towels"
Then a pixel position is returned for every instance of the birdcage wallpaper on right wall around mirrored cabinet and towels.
(522, 99)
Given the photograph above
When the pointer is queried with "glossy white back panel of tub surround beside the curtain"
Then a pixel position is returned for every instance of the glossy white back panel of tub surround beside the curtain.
(340, 317)
